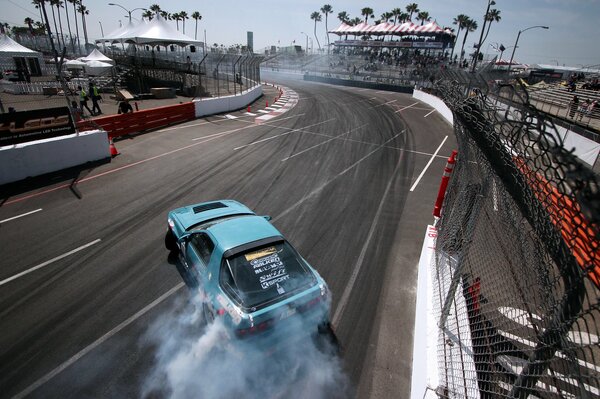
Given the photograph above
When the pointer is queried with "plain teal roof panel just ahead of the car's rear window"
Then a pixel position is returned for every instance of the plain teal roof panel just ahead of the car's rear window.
(232, 233)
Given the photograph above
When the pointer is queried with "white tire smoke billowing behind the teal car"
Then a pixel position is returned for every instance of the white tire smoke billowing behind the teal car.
(194, 360)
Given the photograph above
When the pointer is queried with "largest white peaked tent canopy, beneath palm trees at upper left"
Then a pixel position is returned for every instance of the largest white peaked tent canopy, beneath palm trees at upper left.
(155, 32)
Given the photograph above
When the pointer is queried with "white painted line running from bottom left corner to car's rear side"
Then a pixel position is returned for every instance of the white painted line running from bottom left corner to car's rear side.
(96, 343)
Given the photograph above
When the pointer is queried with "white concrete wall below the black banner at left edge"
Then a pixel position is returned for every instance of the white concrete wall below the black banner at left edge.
(44, 156)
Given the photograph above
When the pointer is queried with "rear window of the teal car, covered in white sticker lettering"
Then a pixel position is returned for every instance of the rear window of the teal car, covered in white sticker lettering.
(261, 276)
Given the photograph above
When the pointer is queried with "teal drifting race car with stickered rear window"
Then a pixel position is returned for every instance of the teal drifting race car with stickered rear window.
(247, 273)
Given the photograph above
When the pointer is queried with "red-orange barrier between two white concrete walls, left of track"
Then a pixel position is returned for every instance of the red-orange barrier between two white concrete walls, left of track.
(122, 124)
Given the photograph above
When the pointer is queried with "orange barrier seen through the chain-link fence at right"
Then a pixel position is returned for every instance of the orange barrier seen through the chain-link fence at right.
(566, 215)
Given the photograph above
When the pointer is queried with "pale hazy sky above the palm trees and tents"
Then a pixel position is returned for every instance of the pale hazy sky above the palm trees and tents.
(572, 38)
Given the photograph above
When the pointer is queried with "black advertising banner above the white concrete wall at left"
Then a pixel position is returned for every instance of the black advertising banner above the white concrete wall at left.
(21, 127)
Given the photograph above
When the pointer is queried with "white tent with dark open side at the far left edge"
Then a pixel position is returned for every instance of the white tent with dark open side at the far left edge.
(16, 57)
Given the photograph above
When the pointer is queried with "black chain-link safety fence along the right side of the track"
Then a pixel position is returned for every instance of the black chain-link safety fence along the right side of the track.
(517, 270)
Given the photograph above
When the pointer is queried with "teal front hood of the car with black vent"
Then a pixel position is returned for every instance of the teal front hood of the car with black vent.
(193, 215)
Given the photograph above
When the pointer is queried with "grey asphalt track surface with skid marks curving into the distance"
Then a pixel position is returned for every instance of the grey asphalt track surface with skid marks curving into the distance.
(348, 175)
